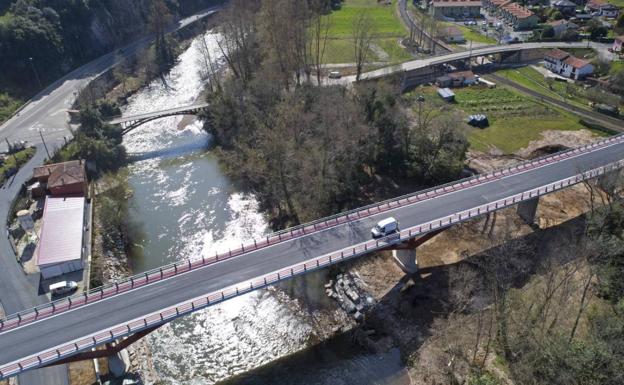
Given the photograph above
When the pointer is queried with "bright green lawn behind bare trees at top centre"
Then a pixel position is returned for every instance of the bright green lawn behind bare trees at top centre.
(387, 25)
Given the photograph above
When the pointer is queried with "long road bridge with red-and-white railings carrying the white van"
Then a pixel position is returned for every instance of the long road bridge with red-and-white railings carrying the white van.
(60, 330)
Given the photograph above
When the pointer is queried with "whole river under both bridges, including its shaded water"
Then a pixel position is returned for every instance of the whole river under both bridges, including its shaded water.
(184, 207)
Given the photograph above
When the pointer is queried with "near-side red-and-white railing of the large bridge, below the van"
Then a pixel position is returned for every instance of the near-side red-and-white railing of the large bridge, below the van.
(312, 264)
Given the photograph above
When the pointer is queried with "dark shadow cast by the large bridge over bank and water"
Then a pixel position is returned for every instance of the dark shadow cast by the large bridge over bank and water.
(375, 351)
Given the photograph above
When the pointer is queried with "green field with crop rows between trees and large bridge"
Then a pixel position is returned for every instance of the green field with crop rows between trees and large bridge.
(515, 120)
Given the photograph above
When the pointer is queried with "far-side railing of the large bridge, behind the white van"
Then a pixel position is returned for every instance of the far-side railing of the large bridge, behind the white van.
(181, 267)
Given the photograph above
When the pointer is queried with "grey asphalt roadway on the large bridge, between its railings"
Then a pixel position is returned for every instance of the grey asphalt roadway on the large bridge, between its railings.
(49, 333)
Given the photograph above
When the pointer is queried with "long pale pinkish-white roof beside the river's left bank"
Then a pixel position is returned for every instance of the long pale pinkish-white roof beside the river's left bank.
(61, 232)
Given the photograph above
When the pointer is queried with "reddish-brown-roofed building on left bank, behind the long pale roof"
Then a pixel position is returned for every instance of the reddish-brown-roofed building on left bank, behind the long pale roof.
(62, 179)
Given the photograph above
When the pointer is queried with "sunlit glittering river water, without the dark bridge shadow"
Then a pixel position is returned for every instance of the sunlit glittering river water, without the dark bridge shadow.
(186, 209)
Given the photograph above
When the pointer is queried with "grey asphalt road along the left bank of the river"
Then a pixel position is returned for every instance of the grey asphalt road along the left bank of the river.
(47, 111)
